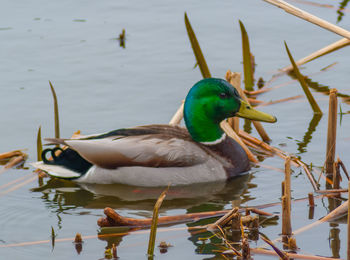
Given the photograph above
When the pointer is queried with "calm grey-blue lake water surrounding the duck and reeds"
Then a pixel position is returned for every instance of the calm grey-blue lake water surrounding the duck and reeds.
(102, 86)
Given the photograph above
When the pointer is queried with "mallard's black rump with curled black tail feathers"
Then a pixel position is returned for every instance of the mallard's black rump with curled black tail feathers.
(67, 158)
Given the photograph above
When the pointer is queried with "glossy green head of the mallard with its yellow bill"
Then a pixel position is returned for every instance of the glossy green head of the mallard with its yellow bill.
(209, 102)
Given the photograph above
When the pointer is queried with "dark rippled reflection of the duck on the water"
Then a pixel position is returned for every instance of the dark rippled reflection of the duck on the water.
(66, 196)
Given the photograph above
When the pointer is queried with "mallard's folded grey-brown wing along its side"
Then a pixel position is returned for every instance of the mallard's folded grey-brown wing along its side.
(144, 150)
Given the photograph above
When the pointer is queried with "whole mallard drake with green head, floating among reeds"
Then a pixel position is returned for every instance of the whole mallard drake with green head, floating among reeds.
(158, 155)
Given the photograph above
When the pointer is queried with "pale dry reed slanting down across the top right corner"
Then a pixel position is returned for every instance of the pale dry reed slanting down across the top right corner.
(309, 17)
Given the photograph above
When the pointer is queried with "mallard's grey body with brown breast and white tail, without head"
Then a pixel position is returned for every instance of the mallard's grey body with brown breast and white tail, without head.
(154, 155)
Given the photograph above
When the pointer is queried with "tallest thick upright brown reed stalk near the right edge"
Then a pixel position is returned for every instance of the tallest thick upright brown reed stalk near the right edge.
(332, 131)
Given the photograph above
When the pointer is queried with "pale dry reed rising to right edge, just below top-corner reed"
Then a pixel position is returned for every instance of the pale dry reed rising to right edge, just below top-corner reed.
(330, 48)
